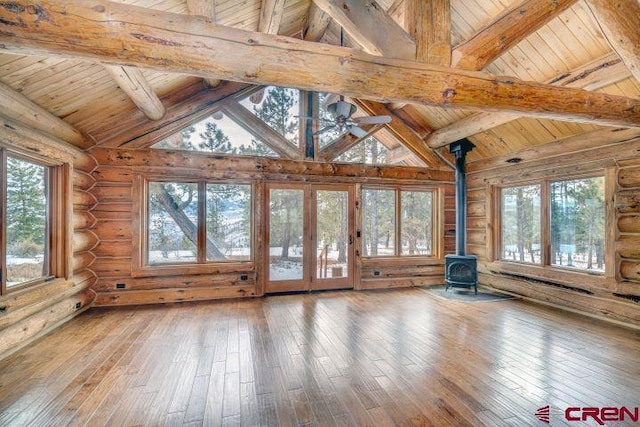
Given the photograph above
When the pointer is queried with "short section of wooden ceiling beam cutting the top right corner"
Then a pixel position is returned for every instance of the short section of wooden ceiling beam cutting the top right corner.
(620, 23)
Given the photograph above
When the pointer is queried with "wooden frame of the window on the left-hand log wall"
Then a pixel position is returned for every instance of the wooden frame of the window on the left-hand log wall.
(58, 229)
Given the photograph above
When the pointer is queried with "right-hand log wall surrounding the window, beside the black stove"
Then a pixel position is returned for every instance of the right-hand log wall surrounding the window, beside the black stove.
(613, 296)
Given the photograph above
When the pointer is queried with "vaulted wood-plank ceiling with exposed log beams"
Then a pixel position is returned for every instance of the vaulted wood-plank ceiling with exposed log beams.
(128, 72)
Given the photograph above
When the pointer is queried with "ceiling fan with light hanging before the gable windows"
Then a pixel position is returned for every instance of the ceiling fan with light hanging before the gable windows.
(341, 112)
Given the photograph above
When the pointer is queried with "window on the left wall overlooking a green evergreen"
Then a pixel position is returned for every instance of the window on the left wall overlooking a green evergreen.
(27, 213)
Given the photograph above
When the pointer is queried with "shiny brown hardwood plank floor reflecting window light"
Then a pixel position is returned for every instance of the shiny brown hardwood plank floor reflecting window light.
(378, 358)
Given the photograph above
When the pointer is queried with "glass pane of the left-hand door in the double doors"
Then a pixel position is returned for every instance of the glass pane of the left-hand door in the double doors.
(286, 226)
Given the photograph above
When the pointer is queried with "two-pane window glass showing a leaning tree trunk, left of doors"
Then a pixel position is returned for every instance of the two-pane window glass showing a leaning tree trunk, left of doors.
(198, 222)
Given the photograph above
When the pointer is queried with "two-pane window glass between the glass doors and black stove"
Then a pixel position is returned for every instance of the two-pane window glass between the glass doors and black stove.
(397, 222)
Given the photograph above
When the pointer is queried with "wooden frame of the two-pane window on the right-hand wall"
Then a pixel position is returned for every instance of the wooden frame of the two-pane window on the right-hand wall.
(545, 268)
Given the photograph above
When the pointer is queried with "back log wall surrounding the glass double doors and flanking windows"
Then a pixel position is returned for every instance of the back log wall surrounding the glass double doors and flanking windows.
(119, 284)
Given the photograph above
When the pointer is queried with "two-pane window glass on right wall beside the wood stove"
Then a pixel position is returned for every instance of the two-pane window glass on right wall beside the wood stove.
(573, 213)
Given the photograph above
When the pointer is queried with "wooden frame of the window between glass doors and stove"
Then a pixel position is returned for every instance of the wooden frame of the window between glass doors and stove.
(437, 220)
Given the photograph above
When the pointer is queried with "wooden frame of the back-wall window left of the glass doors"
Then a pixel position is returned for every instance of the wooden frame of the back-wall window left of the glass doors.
(141, 266)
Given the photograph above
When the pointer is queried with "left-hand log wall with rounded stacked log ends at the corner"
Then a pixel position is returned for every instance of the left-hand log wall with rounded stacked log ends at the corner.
(28, 313)
